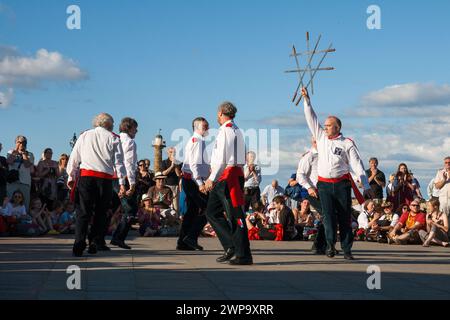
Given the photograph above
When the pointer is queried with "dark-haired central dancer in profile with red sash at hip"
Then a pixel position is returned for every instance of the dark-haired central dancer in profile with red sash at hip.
(226, 184)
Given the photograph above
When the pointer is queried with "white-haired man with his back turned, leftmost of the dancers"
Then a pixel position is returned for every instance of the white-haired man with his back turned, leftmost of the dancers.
(96, 156)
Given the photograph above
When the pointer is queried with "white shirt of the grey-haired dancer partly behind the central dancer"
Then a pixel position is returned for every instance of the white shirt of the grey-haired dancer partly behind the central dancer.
(196, 160)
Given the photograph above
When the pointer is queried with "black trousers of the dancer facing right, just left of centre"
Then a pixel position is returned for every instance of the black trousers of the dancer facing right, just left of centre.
(195, 219)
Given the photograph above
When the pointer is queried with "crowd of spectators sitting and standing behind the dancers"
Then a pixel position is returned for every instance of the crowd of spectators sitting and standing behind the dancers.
(35, 201)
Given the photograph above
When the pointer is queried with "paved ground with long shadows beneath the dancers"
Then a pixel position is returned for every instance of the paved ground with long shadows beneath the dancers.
(35, 268)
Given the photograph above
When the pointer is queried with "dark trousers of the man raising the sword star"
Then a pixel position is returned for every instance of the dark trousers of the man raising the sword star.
(336, 206)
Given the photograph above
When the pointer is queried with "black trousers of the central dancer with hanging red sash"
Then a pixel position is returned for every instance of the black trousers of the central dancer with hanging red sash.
(232, 229)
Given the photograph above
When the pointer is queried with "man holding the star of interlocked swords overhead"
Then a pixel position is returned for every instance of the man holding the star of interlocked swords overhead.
(336, 157)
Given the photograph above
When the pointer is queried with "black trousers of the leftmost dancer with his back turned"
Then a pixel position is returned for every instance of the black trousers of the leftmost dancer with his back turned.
(94, 199)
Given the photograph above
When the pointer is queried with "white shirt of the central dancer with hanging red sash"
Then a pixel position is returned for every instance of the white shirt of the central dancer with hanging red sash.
(229, 150)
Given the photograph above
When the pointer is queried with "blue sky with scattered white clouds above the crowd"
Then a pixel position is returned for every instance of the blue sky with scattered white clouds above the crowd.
(167, 62)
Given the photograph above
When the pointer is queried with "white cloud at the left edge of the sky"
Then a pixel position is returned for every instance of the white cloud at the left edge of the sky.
(18, 71)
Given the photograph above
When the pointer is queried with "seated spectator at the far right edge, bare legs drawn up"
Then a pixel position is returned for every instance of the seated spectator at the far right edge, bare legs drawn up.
(437, 226)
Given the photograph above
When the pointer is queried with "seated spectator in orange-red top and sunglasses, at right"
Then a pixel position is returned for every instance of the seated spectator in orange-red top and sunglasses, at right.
(408, 226)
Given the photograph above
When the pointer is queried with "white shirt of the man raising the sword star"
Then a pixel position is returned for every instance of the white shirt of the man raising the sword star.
(337, 156)
